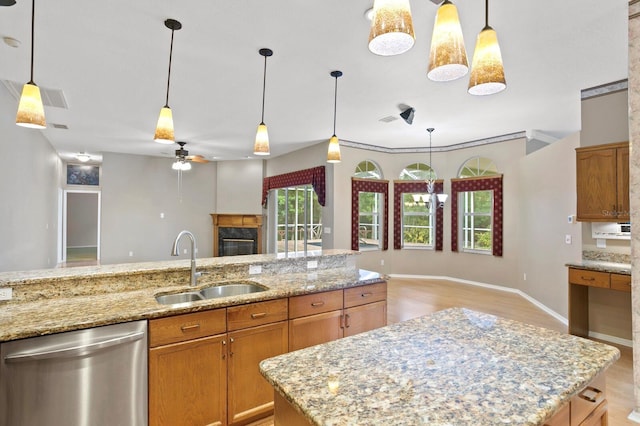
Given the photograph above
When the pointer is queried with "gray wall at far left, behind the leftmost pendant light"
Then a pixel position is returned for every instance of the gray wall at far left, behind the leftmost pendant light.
(29, 182)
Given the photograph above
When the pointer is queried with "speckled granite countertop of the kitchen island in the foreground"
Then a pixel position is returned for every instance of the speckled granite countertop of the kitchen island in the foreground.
(455, 367)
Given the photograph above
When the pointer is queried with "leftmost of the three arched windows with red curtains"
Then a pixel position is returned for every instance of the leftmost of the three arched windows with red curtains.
(370, 204)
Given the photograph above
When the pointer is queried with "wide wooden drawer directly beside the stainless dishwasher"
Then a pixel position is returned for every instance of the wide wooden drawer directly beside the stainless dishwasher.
(179, 328)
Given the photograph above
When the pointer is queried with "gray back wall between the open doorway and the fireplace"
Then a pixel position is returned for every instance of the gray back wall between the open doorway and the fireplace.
(136, 191)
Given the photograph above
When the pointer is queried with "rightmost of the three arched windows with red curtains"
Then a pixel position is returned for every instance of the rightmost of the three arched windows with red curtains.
(478, 192)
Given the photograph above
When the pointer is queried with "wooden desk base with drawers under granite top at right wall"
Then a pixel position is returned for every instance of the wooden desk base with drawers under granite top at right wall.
(579, 282)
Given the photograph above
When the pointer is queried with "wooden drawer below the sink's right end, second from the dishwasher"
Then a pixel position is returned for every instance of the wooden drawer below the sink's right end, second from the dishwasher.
(258, 313)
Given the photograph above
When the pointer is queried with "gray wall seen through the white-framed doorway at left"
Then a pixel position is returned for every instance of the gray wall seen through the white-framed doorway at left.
(82, 219)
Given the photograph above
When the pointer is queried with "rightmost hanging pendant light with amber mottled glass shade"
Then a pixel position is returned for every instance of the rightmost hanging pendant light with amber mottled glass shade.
(487, 71)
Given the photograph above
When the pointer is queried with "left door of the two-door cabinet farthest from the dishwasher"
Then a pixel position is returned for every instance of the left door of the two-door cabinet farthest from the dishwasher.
(315, 329)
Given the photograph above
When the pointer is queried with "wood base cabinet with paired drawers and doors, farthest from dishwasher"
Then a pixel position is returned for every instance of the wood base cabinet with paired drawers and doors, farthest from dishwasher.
(322, 317)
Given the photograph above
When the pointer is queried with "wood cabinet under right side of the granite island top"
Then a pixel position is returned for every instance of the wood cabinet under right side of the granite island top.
(587, 408)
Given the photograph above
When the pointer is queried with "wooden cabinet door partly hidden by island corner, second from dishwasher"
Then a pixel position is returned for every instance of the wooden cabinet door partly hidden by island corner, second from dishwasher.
(250, 395)
